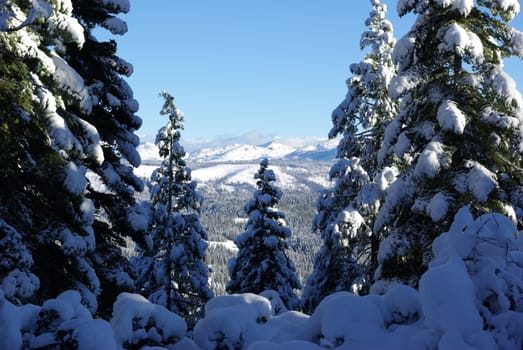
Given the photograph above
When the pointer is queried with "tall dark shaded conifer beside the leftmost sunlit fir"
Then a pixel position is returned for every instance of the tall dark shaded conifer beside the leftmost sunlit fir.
(112, 121)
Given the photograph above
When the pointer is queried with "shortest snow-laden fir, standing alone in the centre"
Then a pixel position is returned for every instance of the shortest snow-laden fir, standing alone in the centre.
(261, 262)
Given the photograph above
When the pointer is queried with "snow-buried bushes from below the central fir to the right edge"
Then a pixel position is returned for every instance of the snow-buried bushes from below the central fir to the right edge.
(471, 297)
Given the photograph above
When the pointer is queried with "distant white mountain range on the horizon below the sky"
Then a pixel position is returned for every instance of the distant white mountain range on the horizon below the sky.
(297, 165)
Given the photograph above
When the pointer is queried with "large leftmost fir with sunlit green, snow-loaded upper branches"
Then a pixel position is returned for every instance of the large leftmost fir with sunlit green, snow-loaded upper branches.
(43, 203)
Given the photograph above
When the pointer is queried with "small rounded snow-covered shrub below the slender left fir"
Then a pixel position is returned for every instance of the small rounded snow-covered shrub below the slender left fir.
(138, 323)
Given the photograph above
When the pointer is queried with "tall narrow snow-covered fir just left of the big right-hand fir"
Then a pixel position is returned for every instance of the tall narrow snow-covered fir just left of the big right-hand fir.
(347, 258)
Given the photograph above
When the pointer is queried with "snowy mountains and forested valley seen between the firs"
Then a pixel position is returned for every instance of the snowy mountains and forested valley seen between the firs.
(301, 172)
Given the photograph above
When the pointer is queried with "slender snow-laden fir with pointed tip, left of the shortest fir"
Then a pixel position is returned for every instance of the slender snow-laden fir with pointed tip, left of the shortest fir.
(173, 272)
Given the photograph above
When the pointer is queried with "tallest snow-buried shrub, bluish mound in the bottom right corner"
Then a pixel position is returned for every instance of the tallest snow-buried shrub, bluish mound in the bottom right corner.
(481, 262)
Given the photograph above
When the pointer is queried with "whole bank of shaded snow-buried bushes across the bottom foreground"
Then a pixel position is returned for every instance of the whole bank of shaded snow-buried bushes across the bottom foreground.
(476, 266)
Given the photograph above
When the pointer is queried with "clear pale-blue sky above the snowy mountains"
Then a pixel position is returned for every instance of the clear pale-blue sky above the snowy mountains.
(270, 67)
